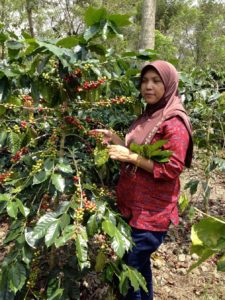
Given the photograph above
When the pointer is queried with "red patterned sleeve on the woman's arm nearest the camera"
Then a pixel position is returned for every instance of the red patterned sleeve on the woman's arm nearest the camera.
(177, 135)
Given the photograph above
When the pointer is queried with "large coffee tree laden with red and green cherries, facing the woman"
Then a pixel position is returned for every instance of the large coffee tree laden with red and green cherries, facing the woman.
(54, 189)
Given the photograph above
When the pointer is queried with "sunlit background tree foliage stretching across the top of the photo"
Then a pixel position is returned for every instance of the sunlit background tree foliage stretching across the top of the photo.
(189, 33)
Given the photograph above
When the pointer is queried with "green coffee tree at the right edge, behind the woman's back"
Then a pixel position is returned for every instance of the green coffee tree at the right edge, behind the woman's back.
(204, 92)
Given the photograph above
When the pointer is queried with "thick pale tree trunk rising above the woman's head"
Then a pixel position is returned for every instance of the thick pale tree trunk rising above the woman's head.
(147, 38)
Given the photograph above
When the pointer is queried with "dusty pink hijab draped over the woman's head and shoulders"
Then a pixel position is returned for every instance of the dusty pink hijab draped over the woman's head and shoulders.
(144, 128)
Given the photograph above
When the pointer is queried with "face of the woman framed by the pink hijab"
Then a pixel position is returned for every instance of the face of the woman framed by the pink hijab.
(152, 87)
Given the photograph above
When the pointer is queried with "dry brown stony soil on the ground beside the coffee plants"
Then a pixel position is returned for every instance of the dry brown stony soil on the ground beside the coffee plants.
(173, 259)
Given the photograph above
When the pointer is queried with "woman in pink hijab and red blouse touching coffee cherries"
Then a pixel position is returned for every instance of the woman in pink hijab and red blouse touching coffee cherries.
(148, 191)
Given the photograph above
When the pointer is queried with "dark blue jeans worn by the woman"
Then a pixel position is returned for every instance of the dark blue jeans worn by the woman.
(146, 242)
